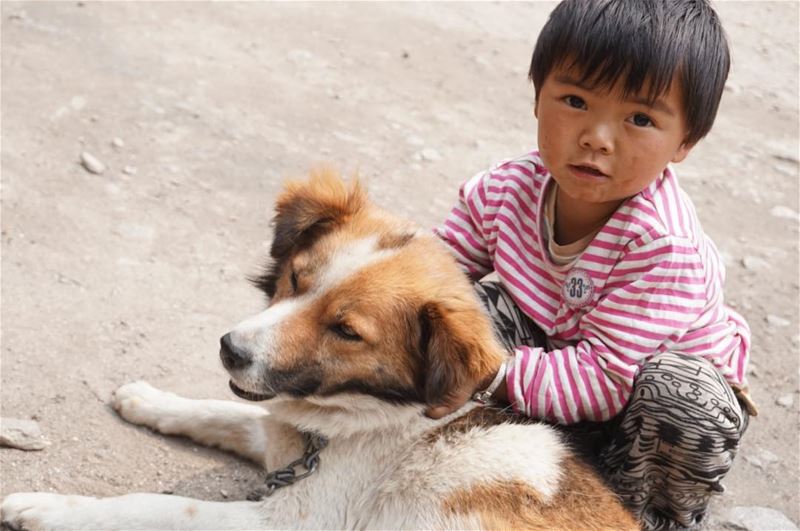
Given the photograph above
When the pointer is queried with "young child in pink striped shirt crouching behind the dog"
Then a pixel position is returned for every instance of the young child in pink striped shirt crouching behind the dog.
(610, 295)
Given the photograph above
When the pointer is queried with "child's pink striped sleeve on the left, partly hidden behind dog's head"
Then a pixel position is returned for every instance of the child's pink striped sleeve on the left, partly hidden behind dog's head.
(464, 228)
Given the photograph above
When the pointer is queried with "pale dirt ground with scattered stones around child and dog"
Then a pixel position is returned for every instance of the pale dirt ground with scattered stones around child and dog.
(136, 272)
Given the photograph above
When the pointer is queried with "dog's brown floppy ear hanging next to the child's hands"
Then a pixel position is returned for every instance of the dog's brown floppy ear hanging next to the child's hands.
(459, 352)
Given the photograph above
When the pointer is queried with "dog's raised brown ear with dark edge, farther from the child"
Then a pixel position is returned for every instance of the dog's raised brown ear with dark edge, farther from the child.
(304, 211)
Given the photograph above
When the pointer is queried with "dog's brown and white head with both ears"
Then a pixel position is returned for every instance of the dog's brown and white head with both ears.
(361, 304)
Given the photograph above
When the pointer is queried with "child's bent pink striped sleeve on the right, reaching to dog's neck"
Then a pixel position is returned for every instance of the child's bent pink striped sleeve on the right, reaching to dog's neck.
(657, 291)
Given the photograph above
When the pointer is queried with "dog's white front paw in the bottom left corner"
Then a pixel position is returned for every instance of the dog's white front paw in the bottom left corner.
(39, 511)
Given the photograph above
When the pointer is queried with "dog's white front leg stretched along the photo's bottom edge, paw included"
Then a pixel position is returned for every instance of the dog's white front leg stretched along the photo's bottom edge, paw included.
(43, 511)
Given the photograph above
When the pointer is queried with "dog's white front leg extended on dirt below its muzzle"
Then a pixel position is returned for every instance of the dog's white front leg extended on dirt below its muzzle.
(232, 426)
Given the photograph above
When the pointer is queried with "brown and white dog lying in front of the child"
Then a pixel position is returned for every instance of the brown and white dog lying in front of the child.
(370, 325)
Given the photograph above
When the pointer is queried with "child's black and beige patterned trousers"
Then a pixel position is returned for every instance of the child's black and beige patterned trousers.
(667, 452)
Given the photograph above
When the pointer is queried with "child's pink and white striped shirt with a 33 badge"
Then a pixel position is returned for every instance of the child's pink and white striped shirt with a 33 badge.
(649, 282)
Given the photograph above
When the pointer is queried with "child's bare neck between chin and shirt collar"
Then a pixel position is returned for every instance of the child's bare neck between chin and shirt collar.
(575, 219)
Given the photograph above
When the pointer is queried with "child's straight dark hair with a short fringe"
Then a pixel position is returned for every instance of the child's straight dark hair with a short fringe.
(642, 43)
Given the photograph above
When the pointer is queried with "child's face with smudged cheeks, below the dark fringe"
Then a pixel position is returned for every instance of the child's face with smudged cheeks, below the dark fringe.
(601, 148)
